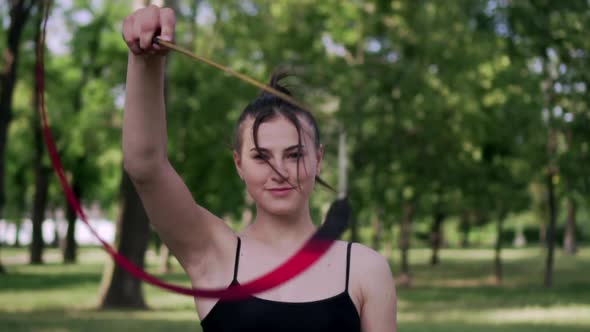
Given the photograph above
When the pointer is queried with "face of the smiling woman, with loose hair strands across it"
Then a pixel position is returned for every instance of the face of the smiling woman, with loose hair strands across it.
(278, 143)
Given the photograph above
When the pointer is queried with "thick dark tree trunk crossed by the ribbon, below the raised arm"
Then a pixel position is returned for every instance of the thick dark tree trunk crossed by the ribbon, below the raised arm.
(120, 289)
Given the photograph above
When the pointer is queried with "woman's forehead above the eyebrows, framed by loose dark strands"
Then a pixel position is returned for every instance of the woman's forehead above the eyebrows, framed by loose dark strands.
(277, 132)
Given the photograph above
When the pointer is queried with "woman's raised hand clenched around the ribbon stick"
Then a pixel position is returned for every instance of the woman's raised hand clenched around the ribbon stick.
(144, 24)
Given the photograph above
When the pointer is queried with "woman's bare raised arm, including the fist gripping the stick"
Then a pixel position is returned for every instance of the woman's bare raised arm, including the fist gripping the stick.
(194, 235)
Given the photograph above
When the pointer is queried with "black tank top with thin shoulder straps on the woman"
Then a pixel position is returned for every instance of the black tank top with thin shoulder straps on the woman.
(336, 313)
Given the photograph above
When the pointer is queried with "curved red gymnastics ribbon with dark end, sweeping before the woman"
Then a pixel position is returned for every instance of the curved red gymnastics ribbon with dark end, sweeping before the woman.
(313, 249)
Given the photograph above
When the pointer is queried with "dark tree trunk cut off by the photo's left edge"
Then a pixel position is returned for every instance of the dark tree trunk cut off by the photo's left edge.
(19, 13)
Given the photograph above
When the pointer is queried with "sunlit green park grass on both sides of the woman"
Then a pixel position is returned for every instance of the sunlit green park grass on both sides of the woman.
(458, 295)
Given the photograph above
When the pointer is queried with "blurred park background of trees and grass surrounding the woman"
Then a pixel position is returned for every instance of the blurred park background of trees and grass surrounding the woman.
(459, 129)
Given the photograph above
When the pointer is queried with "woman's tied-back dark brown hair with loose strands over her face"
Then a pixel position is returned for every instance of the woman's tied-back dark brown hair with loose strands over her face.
(266, 107)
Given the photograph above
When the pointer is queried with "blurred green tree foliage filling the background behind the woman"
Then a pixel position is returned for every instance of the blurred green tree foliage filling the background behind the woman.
(445, 104)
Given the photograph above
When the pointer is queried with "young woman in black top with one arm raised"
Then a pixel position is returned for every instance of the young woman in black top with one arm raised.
(278, 155)
